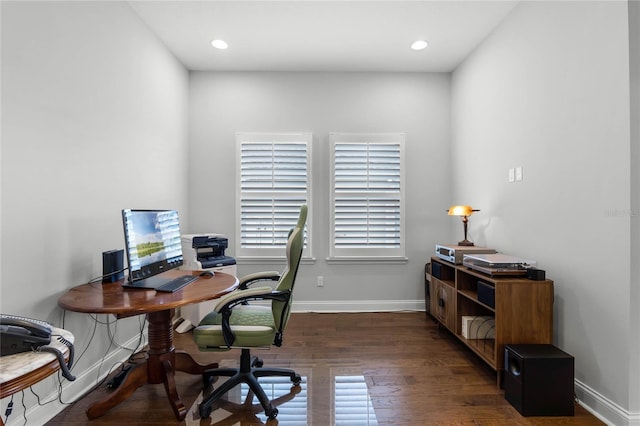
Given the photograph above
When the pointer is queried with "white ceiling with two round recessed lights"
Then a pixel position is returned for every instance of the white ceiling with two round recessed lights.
(329, 35)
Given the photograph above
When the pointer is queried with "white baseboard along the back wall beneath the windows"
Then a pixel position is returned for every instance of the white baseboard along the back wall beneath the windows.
(357, 305)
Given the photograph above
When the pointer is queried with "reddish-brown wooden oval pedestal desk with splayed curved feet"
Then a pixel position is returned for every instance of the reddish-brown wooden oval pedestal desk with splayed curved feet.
(162, 359)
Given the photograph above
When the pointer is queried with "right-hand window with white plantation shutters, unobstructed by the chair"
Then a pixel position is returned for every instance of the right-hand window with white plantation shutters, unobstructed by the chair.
(367, 195)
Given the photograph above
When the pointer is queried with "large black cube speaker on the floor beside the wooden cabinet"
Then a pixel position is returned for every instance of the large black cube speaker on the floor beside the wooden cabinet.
(538, 380)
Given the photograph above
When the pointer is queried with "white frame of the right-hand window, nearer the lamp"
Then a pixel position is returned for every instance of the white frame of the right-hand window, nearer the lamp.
(367, 254)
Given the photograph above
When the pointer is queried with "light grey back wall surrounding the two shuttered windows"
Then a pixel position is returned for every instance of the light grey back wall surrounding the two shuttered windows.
(418, 104)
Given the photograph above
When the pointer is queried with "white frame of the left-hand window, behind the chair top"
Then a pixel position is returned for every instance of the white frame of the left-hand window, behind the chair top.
(273, 253)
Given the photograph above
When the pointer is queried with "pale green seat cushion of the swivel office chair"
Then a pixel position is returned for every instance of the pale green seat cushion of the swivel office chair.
(252, 325)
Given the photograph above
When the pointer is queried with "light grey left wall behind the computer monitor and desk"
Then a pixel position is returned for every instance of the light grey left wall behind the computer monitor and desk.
(94, 119)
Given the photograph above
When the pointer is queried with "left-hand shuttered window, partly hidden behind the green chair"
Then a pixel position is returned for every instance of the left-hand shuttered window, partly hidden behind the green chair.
(273, 181)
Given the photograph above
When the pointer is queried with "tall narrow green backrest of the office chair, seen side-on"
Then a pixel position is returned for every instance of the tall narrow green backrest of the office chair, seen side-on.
(295, 244)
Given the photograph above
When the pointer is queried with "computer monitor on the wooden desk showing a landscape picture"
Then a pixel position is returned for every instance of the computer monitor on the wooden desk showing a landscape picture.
(152, 242)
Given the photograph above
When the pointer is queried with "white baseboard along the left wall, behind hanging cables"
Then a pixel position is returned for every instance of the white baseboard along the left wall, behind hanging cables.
(72, 391)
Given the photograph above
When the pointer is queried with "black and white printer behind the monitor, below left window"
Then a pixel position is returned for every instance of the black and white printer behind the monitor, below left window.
(205, 251)
